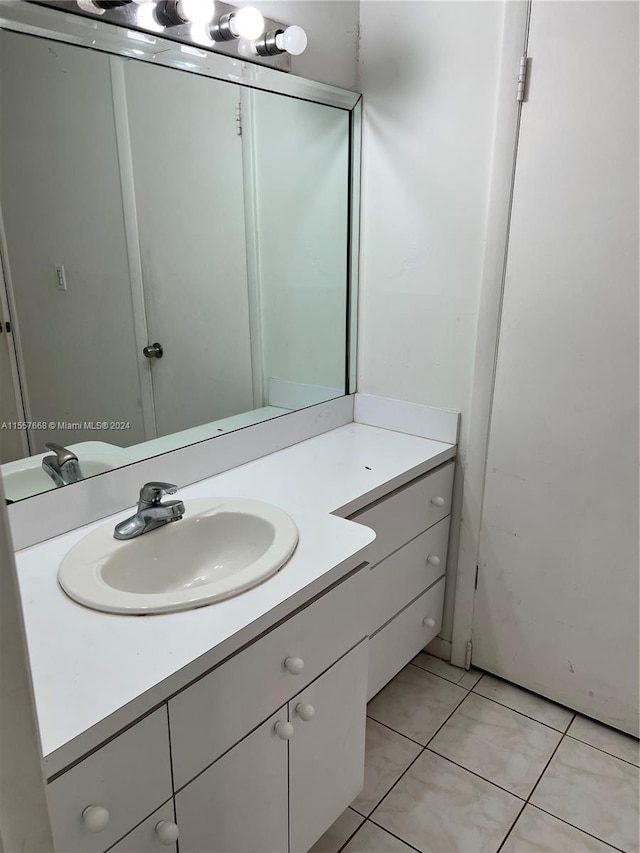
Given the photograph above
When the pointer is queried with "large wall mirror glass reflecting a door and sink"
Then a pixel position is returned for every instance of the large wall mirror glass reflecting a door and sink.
(175, 256)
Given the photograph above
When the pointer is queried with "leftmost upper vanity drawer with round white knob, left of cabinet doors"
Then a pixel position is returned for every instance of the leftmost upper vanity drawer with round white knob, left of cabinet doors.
(129, 777)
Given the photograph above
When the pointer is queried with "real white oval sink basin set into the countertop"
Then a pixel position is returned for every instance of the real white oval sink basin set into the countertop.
(222, 547)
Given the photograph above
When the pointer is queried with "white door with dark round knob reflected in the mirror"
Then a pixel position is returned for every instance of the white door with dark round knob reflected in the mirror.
(187, 171)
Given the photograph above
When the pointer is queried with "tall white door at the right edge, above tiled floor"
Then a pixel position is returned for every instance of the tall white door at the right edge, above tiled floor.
(556, 607)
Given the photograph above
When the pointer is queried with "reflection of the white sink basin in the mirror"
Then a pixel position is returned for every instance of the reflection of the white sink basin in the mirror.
(26, 477)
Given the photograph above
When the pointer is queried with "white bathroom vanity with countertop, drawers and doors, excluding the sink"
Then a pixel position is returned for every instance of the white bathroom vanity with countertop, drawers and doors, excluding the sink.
(253, 706)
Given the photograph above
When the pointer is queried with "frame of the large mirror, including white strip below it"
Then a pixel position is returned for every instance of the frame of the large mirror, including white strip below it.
(51, 513)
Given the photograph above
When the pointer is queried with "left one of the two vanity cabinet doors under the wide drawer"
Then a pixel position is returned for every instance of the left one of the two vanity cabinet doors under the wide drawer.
(239, 804)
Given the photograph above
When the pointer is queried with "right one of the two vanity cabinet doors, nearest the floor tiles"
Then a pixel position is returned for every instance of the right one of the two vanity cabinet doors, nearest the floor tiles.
(326, 752)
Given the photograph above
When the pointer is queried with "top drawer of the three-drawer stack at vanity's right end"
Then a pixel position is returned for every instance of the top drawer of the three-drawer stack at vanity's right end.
(404, 514)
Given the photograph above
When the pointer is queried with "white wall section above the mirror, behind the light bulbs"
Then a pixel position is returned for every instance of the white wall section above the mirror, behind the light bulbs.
(332, 27)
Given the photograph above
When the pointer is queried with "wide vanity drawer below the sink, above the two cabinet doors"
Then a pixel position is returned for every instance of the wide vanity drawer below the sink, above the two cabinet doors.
(213, 714)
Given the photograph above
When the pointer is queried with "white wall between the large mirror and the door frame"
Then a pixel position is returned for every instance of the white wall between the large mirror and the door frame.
(429, 116)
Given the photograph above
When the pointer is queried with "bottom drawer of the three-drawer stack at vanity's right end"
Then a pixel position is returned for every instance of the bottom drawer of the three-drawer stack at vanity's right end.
(406, 635)
